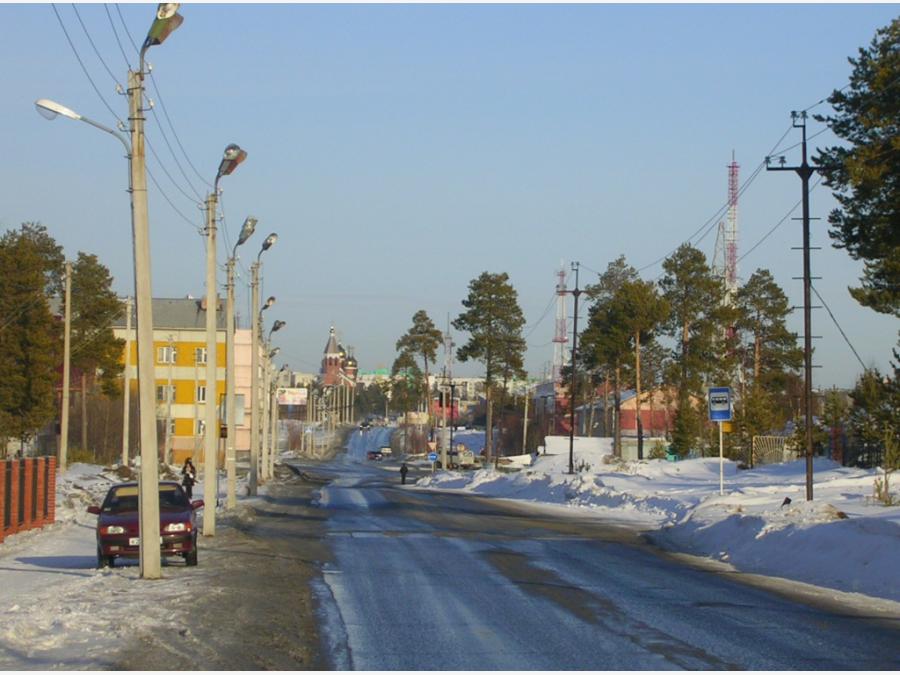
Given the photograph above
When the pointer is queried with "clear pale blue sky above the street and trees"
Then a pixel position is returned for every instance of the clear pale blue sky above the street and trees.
(401, 150)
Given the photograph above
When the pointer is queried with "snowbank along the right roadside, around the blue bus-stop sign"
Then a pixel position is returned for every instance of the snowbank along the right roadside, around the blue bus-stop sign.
(842, 540)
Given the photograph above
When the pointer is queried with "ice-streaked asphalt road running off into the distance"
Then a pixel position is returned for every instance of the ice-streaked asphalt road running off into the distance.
(419, 580)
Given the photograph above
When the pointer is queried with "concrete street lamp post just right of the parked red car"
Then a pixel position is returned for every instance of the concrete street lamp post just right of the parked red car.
(231, 157)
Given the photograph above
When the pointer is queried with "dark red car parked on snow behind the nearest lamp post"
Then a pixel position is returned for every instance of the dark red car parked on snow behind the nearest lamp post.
(118, 527)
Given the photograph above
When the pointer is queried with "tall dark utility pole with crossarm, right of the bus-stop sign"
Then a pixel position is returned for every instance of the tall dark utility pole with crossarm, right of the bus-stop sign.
(805, 171)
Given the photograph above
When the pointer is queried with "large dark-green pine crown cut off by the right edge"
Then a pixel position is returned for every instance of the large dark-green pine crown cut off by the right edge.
(864, 172)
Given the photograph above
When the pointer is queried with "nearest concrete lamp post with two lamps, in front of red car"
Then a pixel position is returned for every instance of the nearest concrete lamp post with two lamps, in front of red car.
(166, 21)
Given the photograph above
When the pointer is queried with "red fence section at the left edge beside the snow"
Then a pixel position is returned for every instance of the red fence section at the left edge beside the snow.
(27, 494)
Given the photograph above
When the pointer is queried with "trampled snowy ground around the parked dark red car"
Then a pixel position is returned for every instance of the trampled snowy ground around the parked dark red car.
(57, 610)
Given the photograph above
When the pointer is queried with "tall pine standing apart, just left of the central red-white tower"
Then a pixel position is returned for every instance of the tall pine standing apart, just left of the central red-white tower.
(494, 321)
